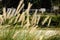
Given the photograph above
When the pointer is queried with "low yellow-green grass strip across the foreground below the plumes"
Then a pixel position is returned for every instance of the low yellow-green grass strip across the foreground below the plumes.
(32, 33)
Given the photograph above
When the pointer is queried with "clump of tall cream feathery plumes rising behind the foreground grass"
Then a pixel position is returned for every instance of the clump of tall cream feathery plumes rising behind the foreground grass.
(24, 19)
